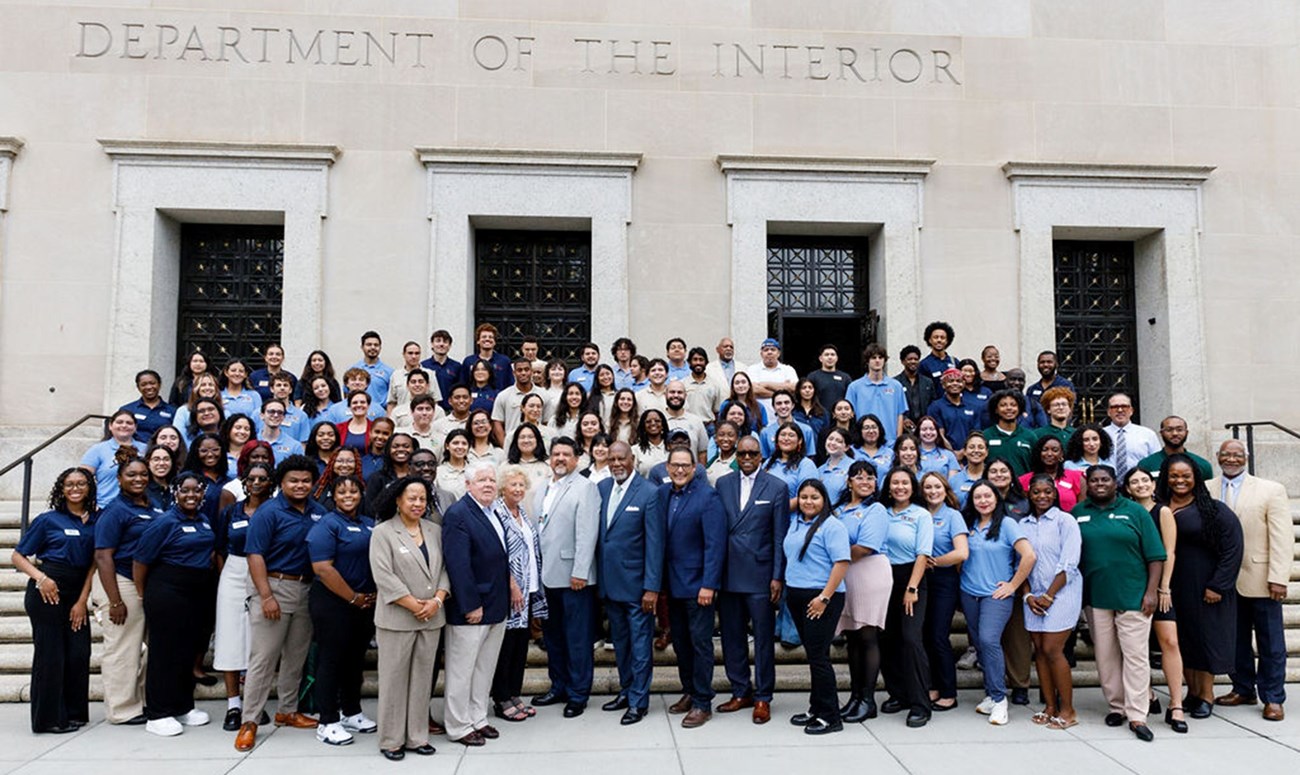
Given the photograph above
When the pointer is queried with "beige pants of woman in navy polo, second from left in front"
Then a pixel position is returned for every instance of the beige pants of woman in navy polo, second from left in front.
(123, 665)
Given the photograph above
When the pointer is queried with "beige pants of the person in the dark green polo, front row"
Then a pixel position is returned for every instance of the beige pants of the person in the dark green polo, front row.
(1124, 665)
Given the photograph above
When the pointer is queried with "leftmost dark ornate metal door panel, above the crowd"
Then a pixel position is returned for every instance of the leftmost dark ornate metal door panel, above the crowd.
(232, 285)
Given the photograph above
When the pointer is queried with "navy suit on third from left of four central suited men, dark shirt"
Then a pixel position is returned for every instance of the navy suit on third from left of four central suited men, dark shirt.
(695, 556)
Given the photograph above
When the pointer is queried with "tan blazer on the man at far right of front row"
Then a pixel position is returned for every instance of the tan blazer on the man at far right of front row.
(1267, 534)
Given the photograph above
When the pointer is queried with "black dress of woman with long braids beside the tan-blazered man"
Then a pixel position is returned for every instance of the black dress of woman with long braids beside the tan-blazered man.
(1207, 634)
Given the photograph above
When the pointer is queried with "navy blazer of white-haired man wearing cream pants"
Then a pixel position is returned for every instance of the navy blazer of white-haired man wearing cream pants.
(478, 565)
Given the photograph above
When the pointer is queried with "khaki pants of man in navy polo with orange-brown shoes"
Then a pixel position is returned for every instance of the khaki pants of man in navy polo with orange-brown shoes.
(285, 642)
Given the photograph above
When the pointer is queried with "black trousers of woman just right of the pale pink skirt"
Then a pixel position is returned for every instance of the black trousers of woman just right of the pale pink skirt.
(903, 648)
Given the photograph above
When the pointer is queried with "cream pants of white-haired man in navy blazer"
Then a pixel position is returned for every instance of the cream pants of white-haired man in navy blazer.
(471, 661)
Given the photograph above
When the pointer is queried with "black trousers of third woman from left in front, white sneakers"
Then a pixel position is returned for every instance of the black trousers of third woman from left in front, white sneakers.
(176, 609)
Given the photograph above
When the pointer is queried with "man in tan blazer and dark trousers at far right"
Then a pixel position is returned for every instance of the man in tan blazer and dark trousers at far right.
(1269, 547)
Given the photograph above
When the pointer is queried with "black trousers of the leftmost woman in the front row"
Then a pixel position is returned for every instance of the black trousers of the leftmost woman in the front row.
(60, 666)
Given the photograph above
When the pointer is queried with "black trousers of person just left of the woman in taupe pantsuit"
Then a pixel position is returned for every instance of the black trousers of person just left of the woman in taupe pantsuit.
(343, 634)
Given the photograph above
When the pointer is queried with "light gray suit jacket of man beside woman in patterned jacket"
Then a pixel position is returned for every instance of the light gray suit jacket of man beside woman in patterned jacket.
(570, 532)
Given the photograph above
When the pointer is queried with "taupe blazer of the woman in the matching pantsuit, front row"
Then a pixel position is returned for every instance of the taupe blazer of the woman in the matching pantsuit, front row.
(400, 570)
